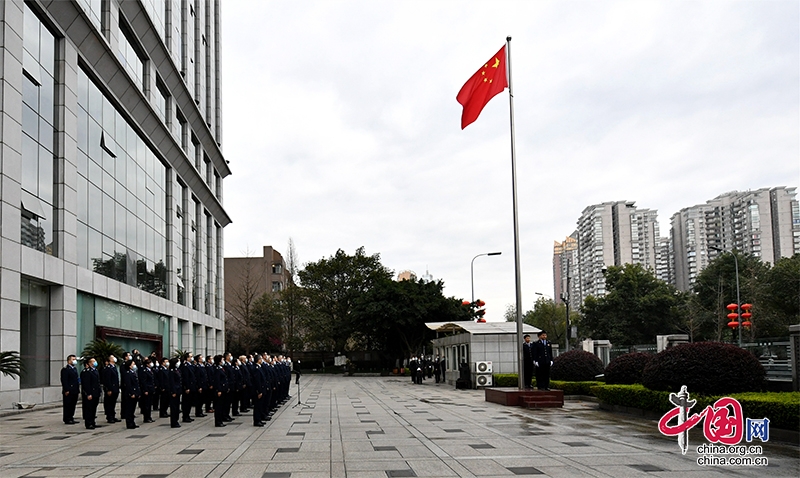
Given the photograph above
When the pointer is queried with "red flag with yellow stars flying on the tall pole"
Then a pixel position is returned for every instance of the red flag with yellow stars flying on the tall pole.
(484, 85)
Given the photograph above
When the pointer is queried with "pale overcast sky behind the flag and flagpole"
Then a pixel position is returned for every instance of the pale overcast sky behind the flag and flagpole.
(342, 129)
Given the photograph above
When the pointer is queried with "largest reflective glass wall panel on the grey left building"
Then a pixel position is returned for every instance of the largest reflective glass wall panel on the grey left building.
(122, 196)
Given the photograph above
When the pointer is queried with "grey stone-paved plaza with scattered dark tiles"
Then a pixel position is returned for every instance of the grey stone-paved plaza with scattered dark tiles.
(370, 427)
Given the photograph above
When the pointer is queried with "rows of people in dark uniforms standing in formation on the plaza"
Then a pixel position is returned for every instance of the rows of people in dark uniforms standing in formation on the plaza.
(176, 388)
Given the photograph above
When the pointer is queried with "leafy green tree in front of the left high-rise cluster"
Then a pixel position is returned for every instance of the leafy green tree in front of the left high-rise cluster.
(636, 308)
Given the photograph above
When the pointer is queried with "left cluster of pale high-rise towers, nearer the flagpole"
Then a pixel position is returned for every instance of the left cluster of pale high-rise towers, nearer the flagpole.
(609, 234)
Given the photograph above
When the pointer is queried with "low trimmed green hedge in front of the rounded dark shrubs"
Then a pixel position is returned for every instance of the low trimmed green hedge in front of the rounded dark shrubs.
(780, 407)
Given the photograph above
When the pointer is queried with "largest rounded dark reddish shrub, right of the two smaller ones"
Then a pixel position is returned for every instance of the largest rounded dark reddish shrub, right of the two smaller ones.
(710, 368)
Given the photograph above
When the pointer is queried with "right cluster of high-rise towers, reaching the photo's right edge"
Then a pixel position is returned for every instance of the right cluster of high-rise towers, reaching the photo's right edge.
(763, 222)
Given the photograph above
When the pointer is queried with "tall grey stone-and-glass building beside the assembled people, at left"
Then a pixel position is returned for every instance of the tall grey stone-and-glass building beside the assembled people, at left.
(111, 182)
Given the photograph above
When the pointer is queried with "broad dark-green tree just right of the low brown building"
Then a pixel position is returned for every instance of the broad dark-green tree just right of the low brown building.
(333, 286)
